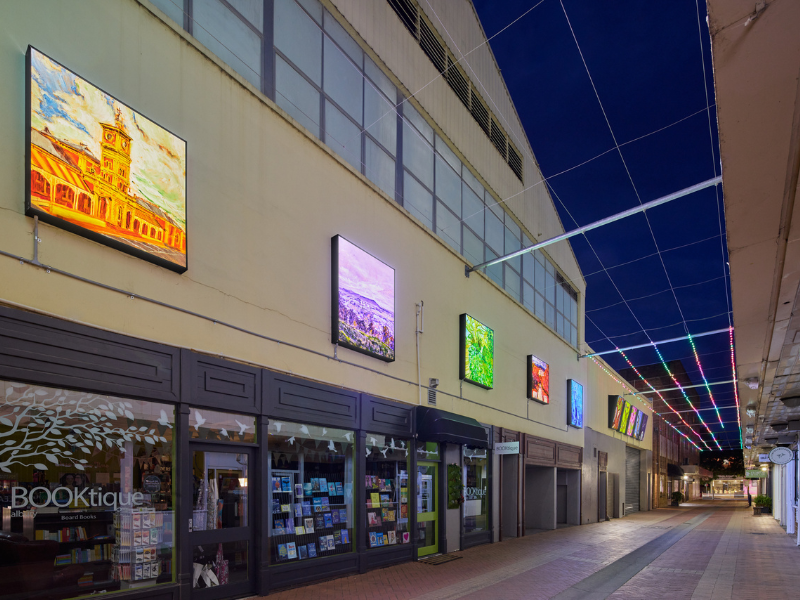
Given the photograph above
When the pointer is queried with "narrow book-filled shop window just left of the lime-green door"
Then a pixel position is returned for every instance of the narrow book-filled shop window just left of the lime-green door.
(387, 489)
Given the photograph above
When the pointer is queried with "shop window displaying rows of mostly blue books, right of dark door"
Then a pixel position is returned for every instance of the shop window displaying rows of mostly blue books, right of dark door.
(311, 491)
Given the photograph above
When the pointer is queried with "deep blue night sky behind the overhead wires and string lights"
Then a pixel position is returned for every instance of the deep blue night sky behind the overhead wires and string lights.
(645, 281)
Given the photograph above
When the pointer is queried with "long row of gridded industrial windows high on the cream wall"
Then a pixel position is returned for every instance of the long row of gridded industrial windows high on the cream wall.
(321, 76)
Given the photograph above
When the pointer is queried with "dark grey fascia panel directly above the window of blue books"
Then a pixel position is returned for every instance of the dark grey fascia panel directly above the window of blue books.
(299, 400)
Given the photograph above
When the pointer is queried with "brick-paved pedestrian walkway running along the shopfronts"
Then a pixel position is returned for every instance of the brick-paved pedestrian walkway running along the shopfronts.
(708, 550)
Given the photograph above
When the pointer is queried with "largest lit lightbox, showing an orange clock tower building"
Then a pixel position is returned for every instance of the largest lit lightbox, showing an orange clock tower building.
(99, 169)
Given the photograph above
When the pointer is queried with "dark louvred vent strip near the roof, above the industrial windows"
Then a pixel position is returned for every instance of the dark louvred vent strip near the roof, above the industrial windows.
(417, 23)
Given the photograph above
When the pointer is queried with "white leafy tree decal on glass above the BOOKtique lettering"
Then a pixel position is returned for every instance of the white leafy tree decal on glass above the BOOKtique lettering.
(40, 427)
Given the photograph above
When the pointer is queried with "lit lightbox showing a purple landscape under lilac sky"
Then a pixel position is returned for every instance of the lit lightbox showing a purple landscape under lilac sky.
(362, 301)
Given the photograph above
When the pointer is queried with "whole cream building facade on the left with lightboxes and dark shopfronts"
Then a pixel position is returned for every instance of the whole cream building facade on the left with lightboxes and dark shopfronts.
(317, 380)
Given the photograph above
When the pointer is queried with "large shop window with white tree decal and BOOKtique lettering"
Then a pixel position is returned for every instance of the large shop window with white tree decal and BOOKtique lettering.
(91, 503)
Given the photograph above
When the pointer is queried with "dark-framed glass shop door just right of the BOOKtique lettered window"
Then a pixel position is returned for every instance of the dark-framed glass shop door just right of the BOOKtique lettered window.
(221, 531)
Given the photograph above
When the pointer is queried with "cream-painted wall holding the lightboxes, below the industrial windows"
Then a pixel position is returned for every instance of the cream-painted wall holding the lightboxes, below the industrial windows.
(264, 201)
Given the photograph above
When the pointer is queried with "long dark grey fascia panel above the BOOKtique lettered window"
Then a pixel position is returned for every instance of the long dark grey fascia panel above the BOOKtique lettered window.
(48, 351)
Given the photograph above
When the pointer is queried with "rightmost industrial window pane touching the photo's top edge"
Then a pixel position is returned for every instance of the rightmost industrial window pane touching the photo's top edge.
(299, 38)
